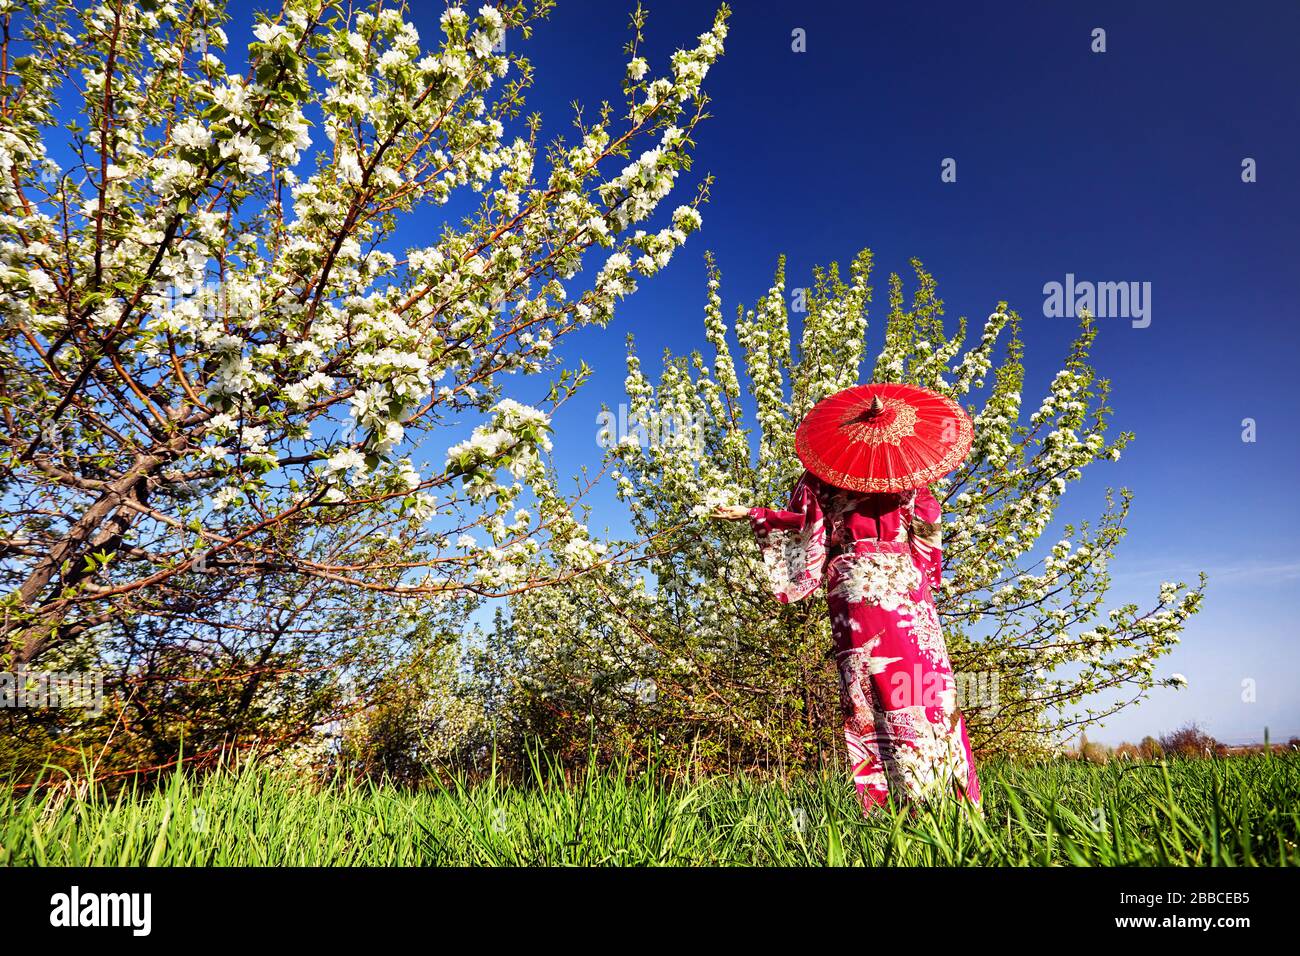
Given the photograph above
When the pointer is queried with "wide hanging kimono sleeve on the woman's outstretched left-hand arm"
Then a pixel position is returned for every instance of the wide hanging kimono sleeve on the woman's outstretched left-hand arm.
(792, 543)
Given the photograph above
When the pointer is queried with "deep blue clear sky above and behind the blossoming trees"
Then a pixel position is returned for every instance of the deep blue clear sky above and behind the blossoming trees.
(1124, 166)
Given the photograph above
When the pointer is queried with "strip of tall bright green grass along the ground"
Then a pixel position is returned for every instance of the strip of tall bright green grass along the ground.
(1238, 812)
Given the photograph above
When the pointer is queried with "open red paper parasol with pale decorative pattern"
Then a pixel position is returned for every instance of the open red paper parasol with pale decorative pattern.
(883, 438)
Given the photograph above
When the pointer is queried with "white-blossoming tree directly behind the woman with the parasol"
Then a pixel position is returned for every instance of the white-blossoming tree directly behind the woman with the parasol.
(696, 656)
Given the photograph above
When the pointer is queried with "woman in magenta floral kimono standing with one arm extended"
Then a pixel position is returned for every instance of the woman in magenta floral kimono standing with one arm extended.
(879, 556)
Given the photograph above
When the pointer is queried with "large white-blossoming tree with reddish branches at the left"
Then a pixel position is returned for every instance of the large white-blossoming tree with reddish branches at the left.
(249, 296)
